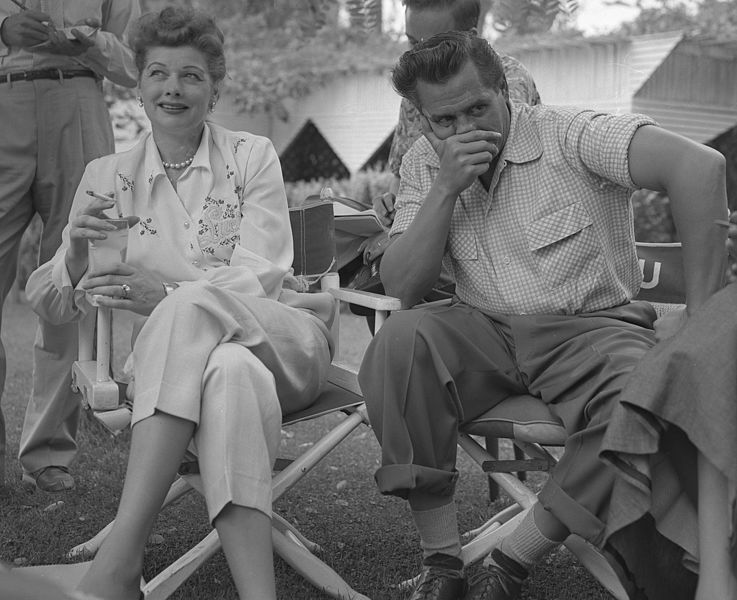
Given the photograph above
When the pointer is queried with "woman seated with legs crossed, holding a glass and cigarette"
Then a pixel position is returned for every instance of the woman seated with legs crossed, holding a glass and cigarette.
(227, 344)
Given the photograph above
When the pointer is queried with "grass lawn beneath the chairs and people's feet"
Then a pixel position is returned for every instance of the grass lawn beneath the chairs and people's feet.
(367, 538)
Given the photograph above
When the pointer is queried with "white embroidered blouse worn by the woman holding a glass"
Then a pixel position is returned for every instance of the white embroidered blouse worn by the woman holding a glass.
(227, 222)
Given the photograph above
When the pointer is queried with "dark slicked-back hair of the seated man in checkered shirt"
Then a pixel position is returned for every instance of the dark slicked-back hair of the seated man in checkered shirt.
(441, 57)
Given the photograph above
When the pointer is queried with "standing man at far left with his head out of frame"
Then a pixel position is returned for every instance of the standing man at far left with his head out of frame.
(53, 121)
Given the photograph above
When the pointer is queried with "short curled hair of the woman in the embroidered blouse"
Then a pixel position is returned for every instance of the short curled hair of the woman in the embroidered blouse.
(178, 26)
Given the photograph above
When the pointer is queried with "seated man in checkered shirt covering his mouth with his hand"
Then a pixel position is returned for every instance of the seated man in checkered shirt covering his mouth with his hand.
(529, 206)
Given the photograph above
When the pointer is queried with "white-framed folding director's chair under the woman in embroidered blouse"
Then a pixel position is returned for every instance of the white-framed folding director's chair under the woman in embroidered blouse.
(105, 398)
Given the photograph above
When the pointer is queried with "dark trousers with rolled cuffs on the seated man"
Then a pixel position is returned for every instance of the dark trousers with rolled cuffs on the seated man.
(428, 371)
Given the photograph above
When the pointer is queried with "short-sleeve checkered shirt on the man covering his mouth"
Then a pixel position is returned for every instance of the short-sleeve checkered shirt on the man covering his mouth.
(555, 232)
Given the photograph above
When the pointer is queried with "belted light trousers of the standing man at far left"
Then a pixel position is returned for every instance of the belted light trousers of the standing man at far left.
(49, 131)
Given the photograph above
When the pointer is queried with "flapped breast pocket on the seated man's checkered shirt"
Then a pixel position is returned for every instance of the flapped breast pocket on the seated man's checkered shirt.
(564, 245)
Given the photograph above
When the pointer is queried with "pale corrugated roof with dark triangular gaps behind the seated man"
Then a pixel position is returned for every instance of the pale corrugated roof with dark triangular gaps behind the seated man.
(355, 114)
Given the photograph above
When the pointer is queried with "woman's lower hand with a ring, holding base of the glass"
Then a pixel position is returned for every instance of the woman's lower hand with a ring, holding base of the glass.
(126, 287)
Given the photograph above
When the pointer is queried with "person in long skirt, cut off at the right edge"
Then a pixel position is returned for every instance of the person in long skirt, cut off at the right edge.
(674, 439)
